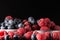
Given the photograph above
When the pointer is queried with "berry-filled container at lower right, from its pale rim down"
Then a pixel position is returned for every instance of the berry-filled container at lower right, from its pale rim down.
(45, 35)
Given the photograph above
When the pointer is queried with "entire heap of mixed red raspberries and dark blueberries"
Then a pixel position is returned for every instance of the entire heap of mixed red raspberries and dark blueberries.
(29, 29)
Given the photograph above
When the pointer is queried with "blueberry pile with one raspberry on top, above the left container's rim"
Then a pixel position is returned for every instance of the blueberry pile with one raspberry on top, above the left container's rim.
(10, 23)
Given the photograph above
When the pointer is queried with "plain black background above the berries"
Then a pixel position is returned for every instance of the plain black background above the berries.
(24, 9)
